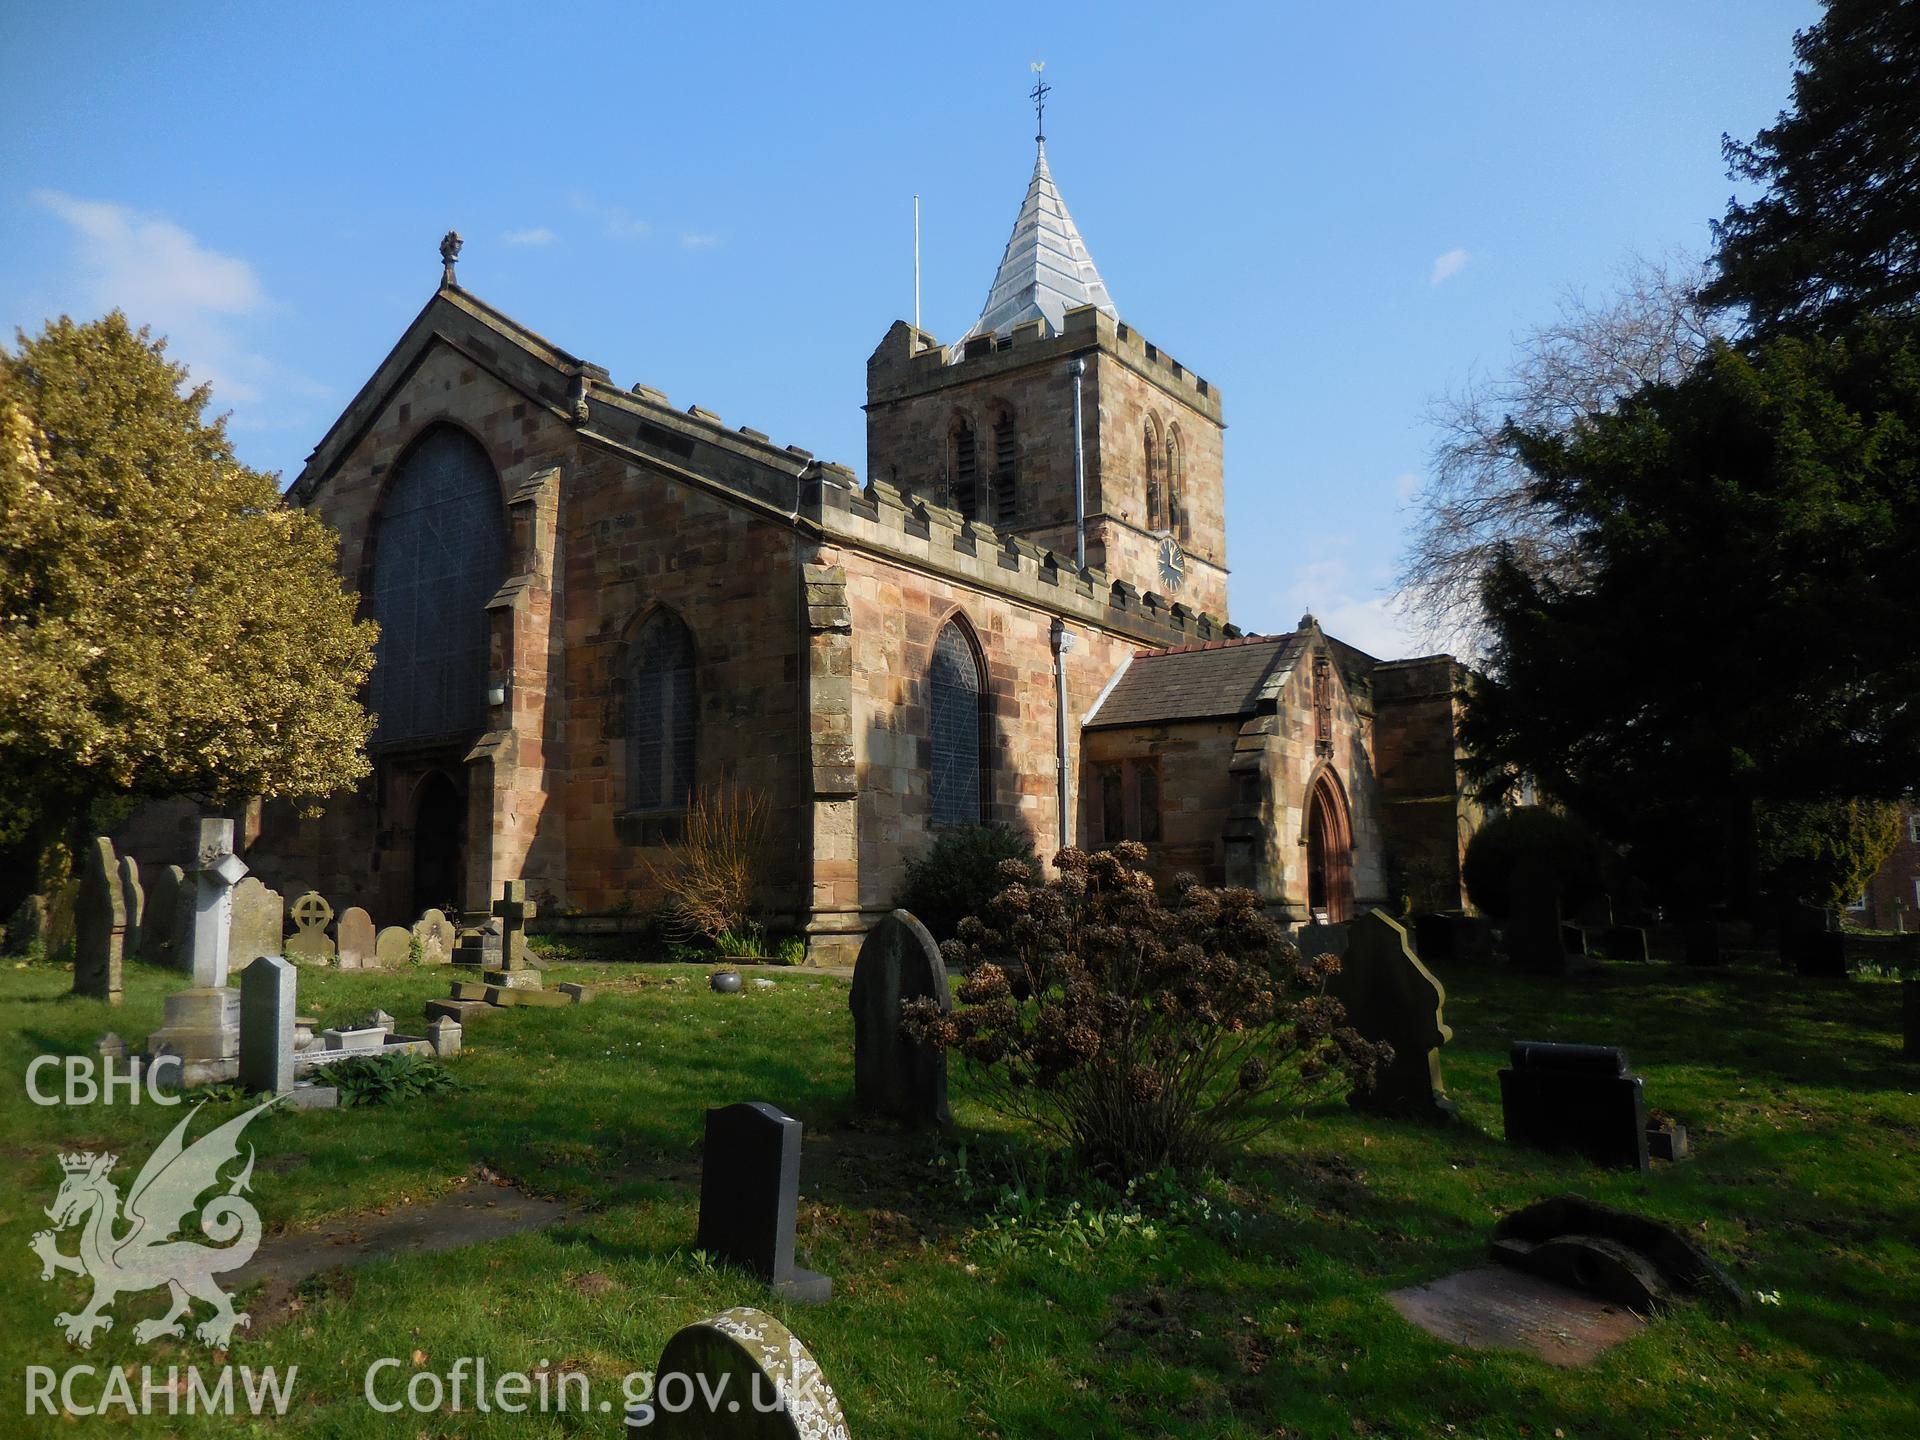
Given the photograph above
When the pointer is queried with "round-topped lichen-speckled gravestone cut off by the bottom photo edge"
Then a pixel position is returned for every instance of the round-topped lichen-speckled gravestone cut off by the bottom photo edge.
(746, 1364)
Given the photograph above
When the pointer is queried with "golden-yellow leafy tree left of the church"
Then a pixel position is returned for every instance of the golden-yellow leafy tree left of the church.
(168, 625)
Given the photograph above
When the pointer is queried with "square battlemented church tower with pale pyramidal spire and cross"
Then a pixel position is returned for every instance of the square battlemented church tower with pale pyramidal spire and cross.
(988, 427)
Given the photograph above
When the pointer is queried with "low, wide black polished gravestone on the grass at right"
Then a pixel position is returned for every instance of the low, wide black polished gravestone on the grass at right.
(1575, 1097)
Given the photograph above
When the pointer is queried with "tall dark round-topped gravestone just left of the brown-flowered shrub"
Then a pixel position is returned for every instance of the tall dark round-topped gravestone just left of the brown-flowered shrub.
(894, 1074)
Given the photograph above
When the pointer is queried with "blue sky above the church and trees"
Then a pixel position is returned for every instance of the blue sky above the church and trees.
(1332, 212)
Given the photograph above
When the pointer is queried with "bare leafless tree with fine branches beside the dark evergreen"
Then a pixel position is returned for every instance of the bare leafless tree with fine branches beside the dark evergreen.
(1479, 494)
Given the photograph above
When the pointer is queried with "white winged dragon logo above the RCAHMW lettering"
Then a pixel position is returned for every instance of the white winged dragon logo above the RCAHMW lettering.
(147, 1257)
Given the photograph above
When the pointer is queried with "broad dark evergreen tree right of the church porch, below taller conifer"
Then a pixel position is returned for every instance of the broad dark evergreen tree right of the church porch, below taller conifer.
(1739, 627)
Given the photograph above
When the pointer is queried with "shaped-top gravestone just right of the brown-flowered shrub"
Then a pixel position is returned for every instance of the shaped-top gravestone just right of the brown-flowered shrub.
(1393, 997)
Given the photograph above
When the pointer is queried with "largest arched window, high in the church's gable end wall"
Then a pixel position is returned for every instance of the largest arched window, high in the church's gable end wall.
(441, 554)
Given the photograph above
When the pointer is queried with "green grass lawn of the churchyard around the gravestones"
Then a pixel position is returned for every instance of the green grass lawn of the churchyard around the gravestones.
(949, 1320)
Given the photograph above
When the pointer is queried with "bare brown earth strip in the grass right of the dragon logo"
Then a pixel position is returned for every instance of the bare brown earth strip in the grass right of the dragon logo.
(475, 1214)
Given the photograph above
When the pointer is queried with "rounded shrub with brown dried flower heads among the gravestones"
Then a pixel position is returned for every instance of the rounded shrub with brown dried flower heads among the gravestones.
(1157, 1034)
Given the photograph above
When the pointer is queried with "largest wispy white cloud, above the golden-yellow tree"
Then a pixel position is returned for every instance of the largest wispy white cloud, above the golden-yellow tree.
(203, 300)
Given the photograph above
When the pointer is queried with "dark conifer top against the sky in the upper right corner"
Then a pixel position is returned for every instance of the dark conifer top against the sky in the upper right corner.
(1836, 235)
